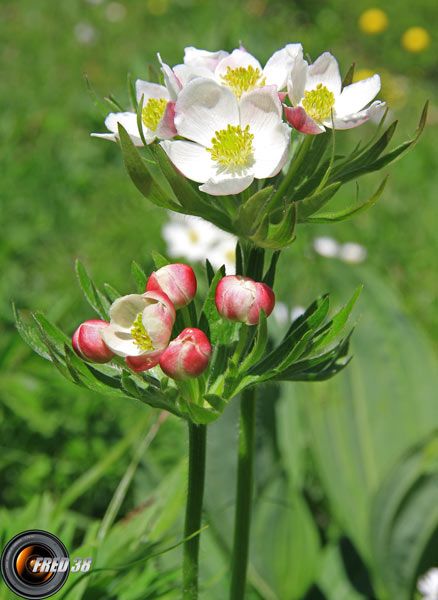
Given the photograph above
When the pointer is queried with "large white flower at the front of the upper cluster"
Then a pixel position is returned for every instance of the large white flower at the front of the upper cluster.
(232, 142)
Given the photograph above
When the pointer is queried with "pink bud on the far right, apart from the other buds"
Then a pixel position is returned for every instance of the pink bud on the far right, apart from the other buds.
(241, 299)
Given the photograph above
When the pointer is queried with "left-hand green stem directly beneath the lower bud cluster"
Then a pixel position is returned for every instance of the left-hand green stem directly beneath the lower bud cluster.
(195, 493)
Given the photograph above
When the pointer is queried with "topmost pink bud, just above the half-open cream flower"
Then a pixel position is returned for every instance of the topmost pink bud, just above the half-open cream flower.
(177, 281)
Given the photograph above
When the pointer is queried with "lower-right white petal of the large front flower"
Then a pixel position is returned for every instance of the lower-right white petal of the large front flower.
(271, 151)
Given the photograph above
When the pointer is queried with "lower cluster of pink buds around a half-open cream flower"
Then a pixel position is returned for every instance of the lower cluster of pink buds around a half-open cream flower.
(141, 325)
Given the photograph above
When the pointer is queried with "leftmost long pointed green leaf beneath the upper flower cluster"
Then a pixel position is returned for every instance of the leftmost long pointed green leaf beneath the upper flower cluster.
(141, 176)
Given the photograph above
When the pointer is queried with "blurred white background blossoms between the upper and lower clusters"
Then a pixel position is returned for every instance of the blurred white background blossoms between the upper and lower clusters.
(194, 239)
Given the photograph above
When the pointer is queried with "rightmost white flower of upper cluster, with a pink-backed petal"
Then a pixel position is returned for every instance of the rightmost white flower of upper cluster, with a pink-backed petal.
(315, 92)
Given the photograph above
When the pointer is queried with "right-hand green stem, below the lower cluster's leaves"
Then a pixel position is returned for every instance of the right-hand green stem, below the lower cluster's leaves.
(244, 495)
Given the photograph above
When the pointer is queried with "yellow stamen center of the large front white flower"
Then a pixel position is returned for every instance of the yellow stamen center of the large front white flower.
(231, 146)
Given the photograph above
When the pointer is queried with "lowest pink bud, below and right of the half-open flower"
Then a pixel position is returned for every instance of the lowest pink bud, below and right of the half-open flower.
(187, 355)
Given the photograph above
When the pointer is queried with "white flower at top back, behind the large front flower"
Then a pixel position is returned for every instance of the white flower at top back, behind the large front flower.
(239, 71)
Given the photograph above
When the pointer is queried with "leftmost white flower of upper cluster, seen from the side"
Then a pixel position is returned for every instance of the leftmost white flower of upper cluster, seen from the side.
(157, 116)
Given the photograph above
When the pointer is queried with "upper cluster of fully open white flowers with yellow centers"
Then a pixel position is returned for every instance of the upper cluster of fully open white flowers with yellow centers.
(232, 117)
